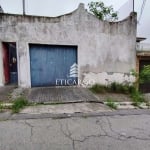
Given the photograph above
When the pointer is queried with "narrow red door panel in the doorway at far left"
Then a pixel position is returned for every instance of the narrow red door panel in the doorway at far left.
(6, 63)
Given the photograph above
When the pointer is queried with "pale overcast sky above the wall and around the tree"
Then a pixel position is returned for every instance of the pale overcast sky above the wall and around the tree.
(54, 8)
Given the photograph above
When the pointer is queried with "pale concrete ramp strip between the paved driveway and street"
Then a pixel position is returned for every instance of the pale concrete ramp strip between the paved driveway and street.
(69, 108)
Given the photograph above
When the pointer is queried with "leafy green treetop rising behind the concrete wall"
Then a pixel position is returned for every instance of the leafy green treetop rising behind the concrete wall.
(102, 12)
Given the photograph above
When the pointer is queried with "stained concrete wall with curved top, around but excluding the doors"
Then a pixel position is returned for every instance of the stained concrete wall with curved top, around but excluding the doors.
(106, 51)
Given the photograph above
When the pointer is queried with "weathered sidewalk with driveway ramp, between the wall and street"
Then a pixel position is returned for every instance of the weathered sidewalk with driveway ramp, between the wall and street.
(66, 101)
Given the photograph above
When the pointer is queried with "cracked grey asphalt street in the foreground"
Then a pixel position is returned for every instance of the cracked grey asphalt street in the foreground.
(116, 132)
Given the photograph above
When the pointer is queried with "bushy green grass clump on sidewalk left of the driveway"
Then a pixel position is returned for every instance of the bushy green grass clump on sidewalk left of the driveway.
(19, 104)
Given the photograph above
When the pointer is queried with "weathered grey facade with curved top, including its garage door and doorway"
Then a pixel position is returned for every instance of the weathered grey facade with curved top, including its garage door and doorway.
(75, 48)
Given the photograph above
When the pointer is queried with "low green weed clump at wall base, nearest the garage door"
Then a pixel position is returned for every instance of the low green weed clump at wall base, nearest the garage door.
(98, 88)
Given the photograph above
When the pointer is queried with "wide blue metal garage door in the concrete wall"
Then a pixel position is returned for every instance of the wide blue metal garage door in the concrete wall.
(53, 65)
